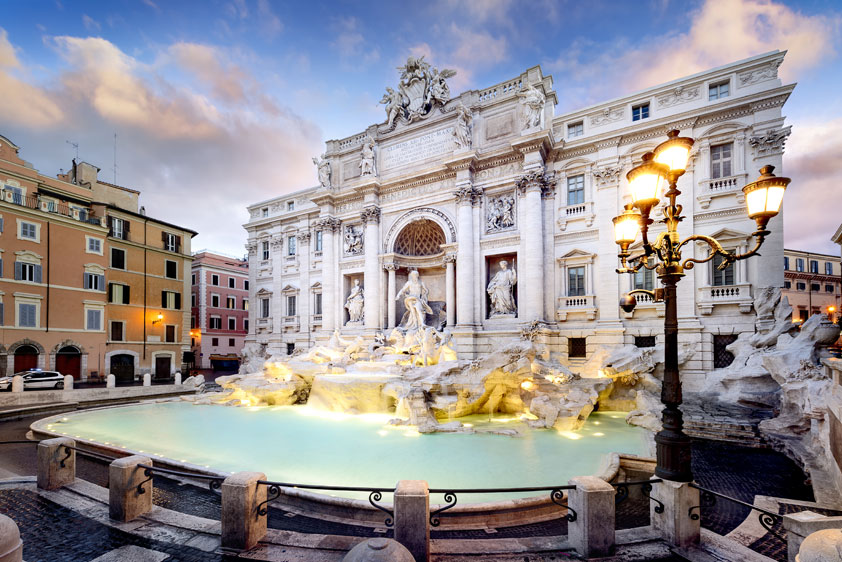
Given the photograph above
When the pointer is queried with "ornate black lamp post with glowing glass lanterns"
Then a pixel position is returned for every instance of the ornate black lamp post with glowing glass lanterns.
(667, 164)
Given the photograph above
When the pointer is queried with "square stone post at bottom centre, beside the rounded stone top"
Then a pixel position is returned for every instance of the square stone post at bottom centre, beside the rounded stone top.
(412, 518)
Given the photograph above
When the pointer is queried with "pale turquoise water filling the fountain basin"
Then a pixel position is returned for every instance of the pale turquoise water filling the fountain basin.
(301, 445)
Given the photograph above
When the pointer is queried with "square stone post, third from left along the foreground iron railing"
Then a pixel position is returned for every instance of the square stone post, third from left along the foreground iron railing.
(242, 526)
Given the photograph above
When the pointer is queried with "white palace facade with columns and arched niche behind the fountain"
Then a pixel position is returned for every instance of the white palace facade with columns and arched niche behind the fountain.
(453, 186)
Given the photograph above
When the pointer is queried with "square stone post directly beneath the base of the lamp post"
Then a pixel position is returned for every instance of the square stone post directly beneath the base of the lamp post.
(675, 524)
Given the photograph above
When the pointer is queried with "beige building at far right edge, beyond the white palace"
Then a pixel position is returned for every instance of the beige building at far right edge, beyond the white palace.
(812, 283)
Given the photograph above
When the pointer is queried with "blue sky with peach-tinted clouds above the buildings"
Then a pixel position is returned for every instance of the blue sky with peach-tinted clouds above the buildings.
(218, 104)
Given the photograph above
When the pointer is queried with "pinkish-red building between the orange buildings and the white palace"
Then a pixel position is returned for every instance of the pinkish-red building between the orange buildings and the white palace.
(219, 305)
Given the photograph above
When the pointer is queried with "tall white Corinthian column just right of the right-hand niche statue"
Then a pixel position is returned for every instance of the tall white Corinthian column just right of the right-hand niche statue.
(530, 188)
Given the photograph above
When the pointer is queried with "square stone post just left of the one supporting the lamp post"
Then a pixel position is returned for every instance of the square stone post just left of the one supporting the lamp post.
(592, 533)
